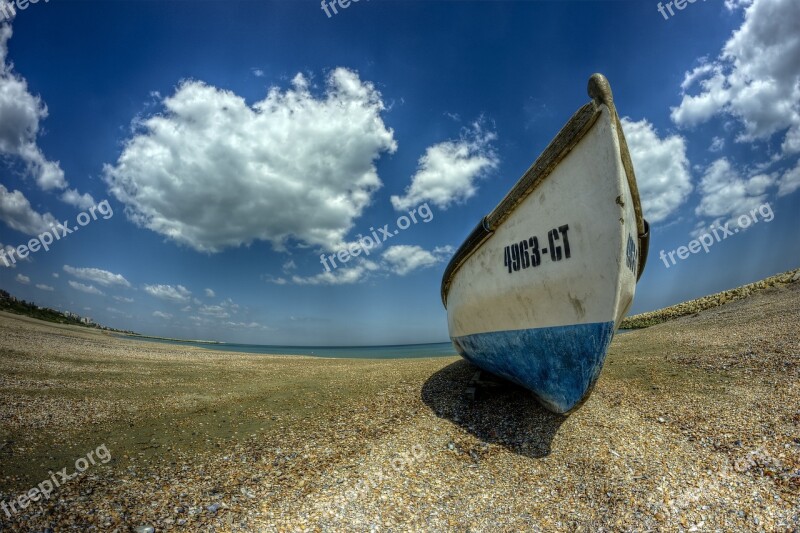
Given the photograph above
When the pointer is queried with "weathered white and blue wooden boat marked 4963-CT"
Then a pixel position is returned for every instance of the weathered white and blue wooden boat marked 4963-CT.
(538, 289)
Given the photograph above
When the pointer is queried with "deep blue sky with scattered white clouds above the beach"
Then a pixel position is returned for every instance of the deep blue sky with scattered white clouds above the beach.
(210, 152)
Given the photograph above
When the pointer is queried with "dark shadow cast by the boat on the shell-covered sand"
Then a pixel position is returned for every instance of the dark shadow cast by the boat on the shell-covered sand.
(504, 414)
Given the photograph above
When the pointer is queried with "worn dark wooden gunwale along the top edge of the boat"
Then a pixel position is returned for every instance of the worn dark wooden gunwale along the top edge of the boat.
(562, 144)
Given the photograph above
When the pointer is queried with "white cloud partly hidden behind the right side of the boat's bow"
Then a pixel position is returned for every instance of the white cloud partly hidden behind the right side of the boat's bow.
(661, 167)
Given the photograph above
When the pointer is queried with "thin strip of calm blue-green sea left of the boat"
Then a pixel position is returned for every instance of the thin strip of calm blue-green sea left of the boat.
(439, 349)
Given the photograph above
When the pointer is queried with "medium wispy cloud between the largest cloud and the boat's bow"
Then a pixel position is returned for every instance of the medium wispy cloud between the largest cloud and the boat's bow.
(448, 171)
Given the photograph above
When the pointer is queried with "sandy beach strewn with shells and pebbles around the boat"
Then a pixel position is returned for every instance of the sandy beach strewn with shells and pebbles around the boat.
(694, 425)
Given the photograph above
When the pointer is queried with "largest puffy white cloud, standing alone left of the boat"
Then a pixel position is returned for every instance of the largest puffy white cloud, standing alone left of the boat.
(212, 171)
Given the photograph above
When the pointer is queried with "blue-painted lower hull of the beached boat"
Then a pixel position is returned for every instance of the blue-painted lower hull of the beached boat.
(559, 364)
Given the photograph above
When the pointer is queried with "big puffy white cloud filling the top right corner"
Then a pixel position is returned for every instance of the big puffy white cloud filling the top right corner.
(755, 79)
